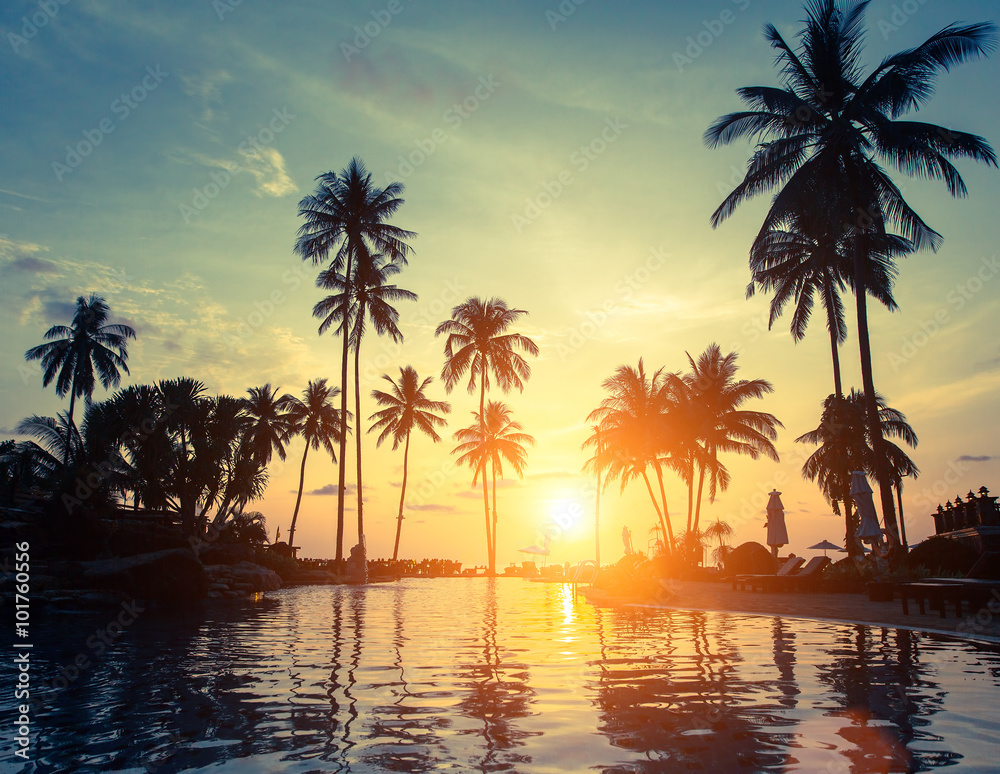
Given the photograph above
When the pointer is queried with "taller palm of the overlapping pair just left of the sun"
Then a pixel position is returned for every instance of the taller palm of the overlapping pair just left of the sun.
(478, 343)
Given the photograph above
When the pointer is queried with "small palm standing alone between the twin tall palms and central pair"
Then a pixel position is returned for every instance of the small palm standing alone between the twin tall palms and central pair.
(406, 407)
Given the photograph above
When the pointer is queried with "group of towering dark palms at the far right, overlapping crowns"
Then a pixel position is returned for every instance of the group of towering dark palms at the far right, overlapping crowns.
(837, 221)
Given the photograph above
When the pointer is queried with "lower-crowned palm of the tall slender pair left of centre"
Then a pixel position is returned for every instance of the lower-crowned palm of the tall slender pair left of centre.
(372, 300)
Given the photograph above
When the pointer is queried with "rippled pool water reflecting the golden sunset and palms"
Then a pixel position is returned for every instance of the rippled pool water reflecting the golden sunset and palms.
(501, 675)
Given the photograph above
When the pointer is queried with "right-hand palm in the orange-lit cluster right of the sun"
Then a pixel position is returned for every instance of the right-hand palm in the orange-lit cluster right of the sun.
(725, 427)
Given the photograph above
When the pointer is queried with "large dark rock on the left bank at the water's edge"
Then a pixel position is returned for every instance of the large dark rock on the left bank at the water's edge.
(170, 577)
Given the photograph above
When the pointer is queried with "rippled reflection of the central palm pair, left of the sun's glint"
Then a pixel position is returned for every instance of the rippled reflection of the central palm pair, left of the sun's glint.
(498, 693)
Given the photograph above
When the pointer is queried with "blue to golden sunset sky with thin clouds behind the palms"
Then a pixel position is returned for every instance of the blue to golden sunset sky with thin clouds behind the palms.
(552, 156)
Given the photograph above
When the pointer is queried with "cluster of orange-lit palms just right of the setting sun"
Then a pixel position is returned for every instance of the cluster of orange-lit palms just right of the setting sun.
(682, 423)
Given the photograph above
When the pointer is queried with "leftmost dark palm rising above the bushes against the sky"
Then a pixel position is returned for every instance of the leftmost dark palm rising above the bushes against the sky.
(73, 352)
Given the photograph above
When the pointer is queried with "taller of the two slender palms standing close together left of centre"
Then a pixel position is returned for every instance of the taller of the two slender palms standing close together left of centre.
(346, 219)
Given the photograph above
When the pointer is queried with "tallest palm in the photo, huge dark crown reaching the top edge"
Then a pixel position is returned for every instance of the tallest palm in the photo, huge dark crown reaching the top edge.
(822, 136)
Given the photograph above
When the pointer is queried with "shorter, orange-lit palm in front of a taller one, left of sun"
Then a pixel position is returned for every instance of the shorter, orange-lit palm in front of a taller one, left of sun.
(487, 443)
